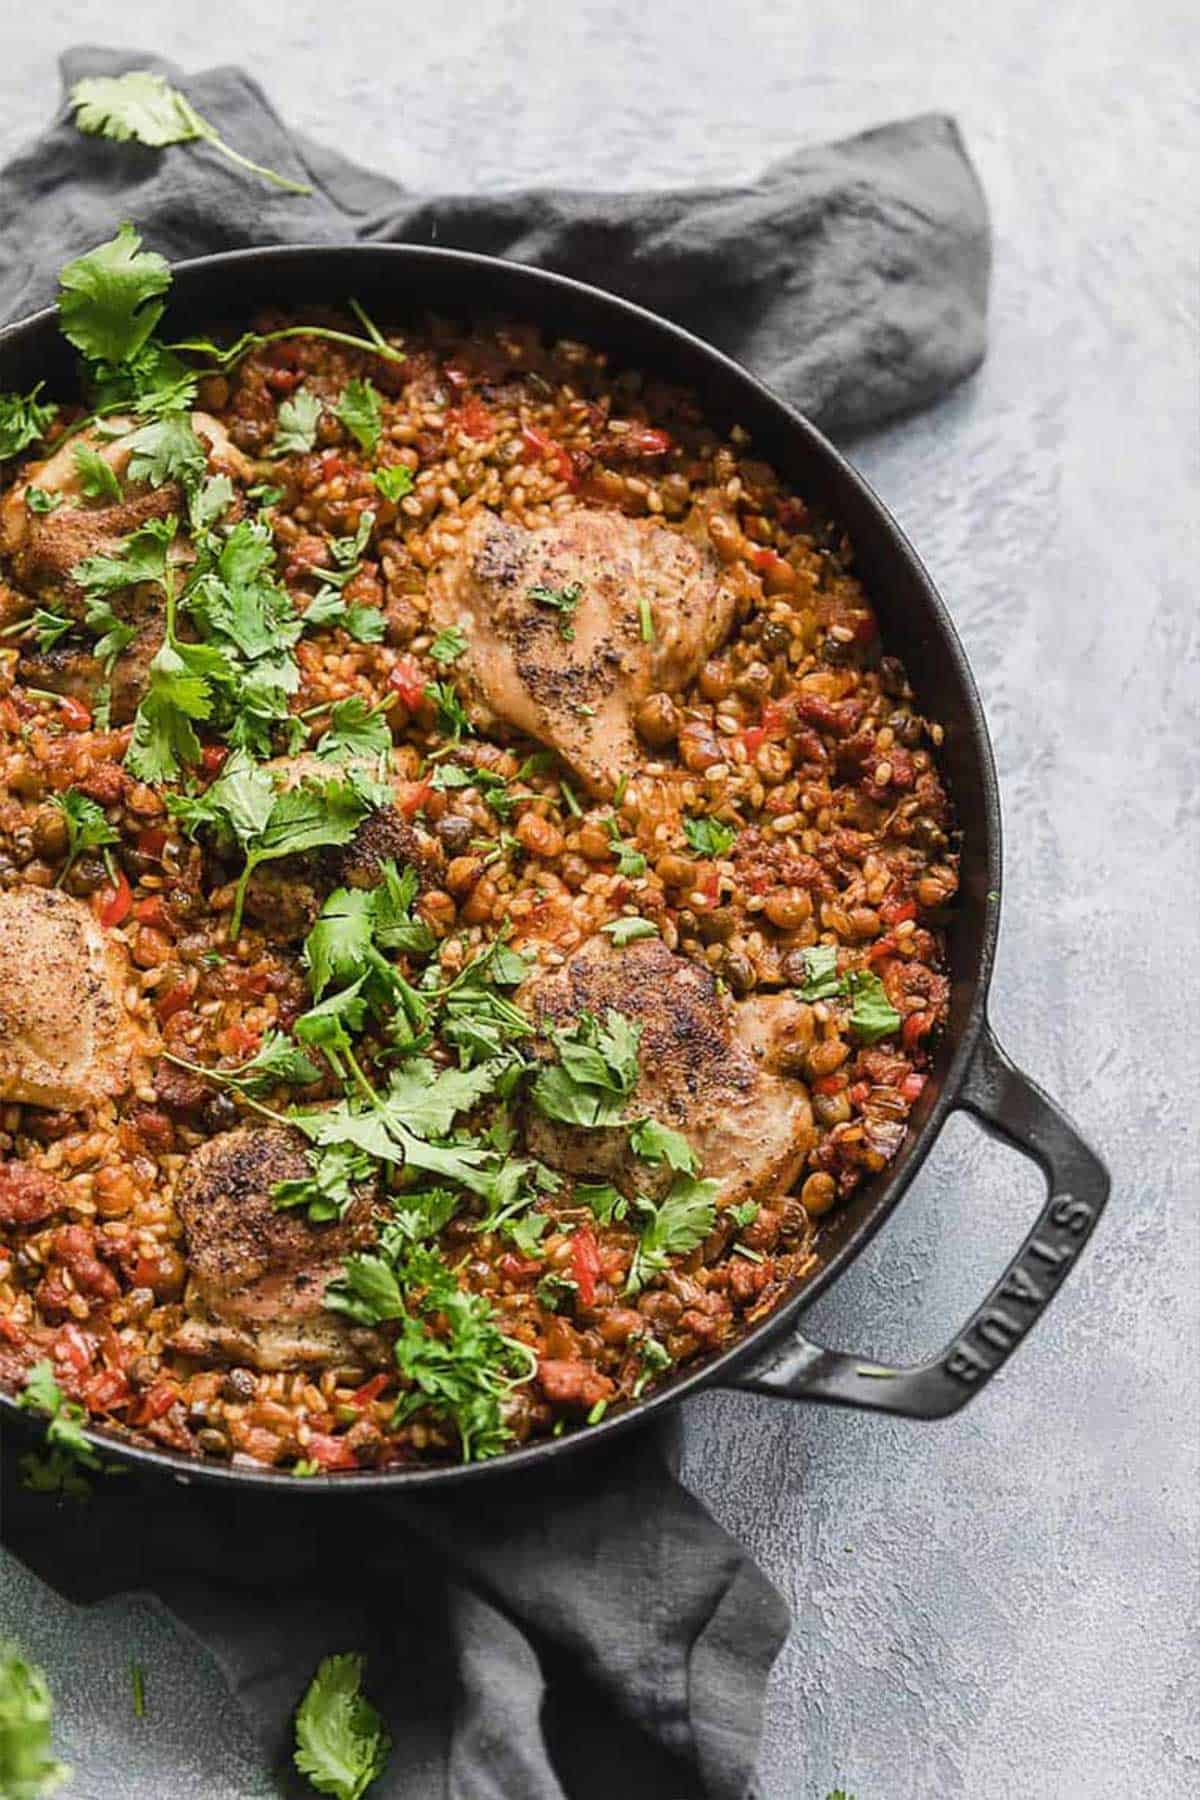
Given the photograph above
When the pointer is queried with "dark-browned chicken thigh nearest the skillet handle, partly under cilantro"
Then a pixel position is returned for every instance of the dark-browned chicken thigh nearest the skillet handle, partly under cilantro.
(751, 1129)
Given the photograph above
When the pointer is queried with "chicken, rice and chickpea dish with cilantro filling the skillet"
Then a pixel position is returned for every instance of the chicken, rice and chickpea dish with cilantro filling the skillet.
(472, 885)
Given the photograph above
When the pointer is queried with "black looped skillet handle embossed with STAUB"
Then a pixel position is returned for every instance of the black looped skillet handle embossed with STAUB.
(1012, 1108)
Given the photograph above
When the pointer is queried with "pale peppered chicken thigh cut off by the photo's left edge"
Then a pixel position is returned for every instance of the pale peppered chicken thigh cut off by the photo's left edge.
(66, 1038)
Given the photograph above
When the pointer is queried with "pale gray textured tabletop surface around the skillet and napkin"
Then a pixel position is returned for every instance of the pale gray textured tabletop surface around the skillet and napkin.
(1003, 1605)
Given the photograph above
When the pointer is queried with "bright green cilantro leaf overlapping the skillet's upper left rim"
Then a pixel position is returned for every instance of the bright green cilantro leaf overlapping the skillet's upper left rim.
(111, 298)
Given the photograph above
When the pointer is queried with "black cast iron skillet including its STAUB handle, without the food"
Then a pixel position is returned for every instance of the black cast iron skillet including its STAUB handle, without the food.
(971, 1070)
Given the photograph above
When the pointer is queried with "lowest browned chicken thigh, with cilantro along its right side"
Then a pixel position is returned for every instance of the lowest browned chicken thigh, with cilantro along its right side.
(258, 1275)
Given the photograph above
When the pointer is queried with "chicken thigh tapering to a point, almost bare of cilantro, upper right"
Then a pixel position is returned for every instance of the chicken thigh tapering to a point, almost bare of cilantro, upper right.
(650, 607)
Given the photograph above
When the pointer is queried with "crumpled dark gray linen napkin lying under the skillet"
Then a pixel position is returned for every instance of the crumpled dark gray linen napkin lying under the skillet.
(593, 1630)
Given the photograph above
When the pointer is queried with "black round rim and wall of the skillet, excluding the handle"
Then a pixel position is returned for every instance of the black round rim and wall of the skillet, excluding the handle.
(407, 282)
